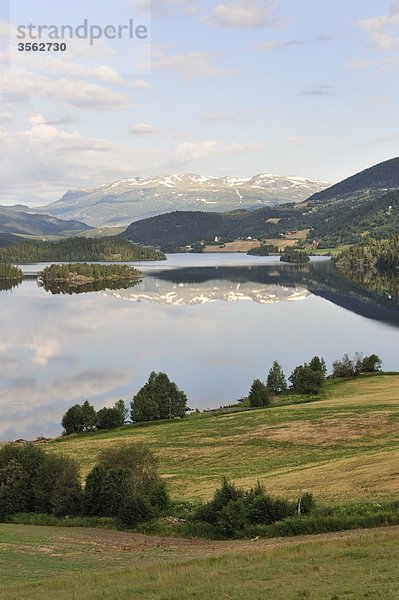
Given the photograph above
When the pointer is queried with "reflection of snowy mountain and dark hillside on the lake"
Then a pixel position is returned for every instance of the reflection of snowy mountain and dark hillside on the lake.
(375, 298)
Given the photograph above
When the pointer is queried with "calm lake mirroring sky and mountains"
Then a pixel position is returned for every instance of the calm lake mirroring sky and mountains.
(212, 322)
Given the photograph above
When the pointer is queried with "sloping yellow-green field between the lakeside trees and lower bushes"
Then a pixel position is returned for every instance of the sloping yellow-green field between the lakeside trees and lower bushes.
(342, 448)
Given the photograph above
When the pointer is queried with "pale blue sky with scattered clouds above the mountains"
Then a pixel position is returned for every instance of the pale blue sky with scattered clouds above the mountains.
(224, 87)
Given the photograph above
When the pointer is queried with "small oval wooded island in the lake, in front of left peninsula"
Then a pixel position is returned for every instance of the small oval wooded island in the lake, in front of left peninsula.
(79, 274)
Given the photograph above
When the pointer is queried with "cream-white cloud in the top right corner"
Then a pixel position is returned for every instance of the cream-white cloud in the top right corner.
(383, 31)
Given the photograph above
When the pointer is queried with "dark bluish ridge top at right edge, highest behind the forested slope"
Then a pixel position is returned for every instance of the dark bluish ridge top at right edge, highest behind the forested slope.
(381, 177)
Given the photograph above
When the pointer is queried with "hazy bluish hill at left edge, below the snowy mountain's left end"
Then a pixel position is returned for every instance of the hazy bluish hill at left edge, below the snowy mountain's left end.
(27, 223)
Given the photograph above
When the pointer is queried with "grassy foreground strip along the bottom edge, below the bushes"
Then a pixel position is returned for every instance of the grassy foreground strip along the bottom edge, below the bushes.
(47, 563)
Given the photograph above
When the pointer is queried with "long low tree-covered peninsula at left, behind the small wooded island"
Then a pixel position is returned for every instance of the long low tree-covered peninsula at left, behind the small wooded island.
(79, 249)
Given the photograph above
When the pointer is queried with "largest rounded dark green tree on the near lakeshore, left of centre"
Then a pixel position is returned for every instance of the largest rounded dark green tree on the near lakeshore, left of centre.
(159, 398)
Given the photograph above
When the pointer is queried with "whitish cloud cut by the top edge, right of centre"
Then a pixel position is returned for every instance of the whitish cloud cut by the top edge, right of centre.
(241, 14)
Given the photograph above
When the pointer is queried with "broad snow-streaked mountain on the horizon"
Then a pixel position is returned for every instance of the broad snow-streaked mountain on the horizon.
(122, 202)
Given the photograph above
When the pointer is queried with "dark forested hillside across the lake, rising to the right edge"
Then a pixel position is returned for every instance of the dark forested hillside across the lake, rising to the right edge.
(366, 204)
